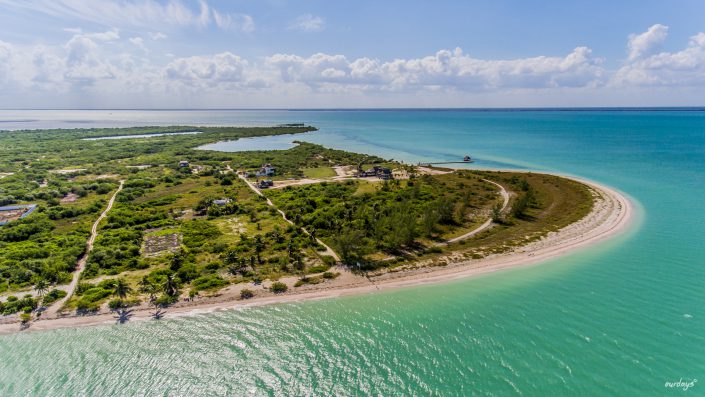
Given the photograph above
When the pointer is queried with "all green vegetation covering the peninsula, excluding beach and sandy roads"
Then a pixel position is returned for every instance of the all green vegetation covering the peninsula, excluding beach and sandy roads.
(193, 229)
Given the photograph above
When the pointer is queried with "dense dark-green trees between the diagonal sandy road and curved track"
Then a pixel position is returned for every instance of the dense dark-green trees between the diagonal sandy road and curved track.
(395, 218)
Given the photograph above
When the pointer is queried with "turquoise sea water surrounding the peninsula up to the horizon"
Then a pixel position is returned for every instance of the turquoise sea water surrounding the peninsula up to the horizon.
(623, 318)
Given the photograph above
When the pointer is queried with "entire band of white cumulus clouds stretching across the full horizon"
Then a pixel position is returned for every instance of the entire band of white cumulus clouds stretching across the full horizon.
(106, 65)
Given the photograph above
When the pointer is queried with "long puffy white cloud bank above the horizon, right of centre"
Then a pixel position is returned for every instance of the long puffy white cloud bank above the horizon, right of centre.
(450, 69)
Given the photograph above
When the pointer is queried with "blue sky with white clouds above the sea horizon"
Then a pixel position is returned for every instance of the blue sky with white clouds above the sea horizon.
(209, 54)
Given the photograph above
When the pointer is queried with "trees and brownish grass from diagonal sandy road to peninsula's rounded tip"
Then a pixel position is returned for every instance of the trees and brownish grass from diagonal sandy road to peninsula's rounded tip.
(402, 222)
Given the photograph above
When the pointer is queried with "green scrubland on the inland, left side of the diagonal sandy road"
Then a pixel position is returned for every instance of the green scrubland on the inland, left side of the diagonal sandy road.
(164, 207)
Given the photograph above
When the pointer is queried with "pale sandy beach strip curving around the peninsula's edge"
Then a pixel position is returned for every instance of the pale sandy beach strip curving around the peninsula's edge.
(611, 215)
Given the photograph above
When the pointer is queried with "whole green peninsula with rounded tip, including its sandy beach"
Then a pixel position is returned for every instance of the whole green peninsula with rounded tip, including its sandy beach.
(105, 225)
